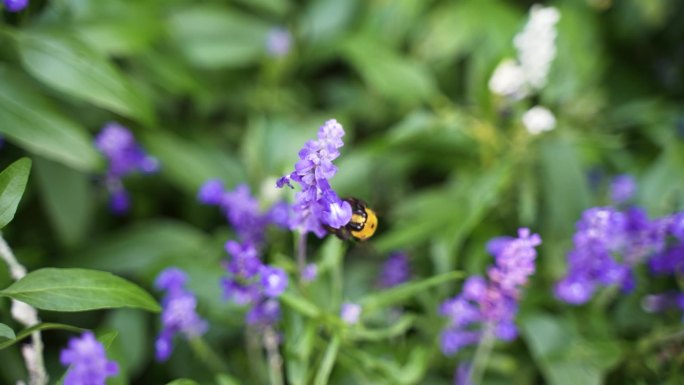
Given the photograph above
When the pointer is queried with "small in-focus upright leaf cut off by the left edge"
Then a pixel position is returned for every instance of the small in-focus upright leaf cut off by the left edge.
(12, 184)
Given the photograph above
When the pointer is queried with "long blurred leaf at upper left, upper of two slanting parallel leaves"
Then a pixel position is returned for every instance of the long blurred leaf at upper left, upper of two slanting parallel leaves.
(73, 67)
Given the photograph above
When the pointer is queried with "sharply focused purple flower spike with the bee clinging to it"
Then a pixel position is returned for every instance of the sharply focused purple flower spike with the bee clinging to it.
(317, 204)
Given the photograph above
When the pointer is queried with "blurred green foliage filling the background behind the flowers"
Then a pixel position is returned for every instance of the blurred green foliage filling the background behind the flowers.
(445, 163)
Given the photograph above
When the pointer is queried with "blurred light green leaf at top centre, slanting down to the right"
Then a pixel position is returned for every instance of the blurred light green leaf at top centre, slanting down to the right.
(391, 75)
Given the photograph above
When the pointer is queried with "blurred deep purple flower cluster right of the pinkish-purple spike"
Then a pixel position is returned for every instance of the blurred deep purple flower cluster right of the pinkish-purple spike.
(607, 244)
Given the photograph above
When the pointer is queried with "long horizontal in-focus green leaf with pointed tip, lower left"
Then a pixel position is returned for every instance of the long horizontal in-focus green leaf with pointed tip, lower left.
(78, 290)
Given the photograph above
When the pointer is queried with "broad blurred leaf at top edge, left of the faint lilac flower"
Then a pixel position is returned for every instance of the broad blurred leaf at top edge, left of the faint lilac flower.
(213, 36)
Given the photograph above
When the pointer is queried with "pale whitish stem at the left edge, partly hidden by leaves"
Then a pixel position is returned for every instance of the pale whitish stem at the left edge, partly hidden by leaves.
(27, 316)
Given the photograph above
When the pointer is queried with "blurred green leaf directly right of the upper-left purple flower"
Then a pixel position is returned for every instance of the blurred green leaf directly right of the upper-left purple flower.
(190, 164)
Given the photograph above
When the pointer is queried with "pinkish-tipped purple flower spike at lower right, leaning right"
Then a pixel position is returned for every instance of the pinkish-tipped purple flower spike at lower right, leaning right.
(490, 305)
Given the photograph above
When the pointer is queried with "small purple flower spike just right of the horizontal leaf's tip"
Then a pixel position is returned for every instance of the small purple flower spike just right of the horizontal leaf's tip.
(178, 314)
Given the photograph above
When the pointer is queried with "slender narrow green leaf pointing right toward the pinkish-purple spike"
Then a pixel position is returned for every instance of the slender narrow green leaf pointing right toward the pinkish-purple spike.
(401, 293)
